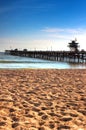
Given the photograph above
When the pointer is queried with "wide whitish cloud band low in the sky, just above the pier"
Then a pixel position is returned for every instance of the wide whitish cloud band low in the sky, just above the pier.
(58, 41)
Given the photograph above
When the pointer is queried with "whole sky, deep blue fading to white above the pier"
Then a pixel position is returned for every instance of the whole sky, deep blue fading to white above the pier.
(42, 24)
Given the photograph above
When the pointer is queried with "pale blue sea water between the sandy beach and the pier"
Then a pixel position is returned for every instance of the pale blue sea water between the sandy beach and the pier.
(16, 62)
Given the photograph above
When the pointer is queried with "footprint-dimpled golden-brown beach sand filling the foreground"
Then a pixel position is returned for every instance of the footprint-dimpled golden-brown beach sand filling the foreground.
(42, 99)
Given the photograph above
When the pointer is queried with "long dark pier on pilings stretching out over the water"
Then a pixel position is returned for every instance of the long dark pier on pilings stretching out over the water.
(67, 56)
